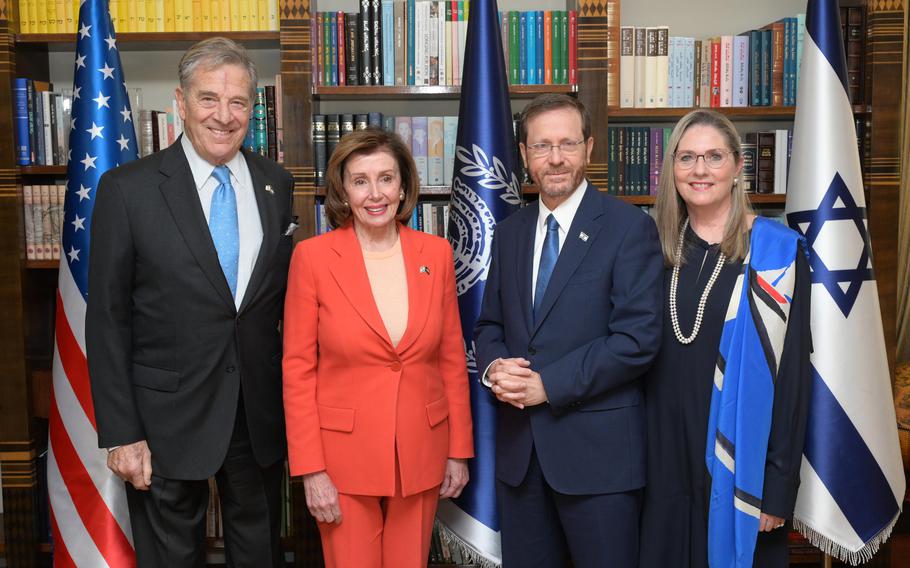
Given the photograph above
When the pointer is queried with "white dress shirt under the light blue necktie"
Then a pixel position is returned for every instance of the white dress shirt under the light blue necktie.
(248, 221)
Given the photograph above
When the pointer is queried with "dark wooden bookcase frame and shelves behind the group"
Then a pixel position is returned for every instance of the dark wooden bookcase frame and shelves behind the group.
(27, 289)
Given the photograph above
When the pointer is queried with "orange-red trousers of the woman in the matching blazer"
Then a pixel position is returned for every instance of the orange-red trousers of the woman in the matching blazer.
(381, 532)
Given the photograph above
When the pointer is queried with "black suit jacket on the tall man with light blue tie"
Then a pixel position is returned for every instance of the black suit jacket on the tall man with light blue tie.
(168, 353)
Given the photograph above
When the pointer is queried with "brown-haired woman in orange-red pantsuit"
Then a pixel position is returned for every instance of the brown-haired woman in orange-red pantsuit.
(375, 381)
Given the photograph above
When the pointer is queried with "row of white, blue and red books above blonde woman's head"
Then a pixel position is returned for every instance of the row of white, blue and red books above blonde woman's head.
(757, 68)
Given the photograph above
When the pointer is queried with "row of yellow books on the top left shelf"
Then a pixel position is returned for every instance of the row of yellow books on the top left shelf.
(60, 16)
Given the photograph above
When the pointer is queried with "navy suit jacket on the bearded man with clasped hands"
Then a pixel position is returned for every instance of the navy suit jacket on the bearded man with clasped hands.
(597, 333)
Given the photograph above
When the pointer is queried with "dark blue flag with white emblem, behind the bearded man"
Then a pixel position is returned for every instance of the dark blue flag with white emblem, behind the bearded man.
(485, 190)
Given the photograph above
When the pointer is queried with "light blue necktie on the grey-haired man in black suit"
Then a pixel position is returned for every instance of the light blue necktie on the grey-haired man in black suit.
(224, 227)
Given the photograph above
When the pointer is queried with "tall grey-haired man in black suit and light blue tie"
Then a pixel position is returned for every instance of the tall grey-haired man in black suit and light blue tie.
(189, 259)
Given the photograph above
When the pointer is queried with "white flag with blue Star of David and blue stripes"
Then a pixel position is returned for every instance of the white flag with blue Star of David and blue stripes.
(852, 480)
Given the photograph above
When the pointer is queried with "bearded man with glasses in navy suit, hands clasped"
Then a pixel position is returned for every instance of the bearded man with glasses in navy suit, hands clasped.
(571, 319)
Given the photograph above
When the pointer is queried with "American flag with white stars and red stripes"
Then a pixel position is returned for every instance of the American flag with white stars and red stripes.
(89, 516)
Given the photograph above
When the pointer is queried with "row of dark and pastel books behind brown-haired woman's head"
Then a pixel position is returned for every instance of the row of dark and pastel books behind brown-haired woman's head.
(430, 138)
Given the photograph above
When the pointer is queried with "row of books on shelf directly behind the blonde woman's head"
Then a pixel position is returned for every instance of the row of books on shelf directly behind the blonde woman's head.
(635, 155)
